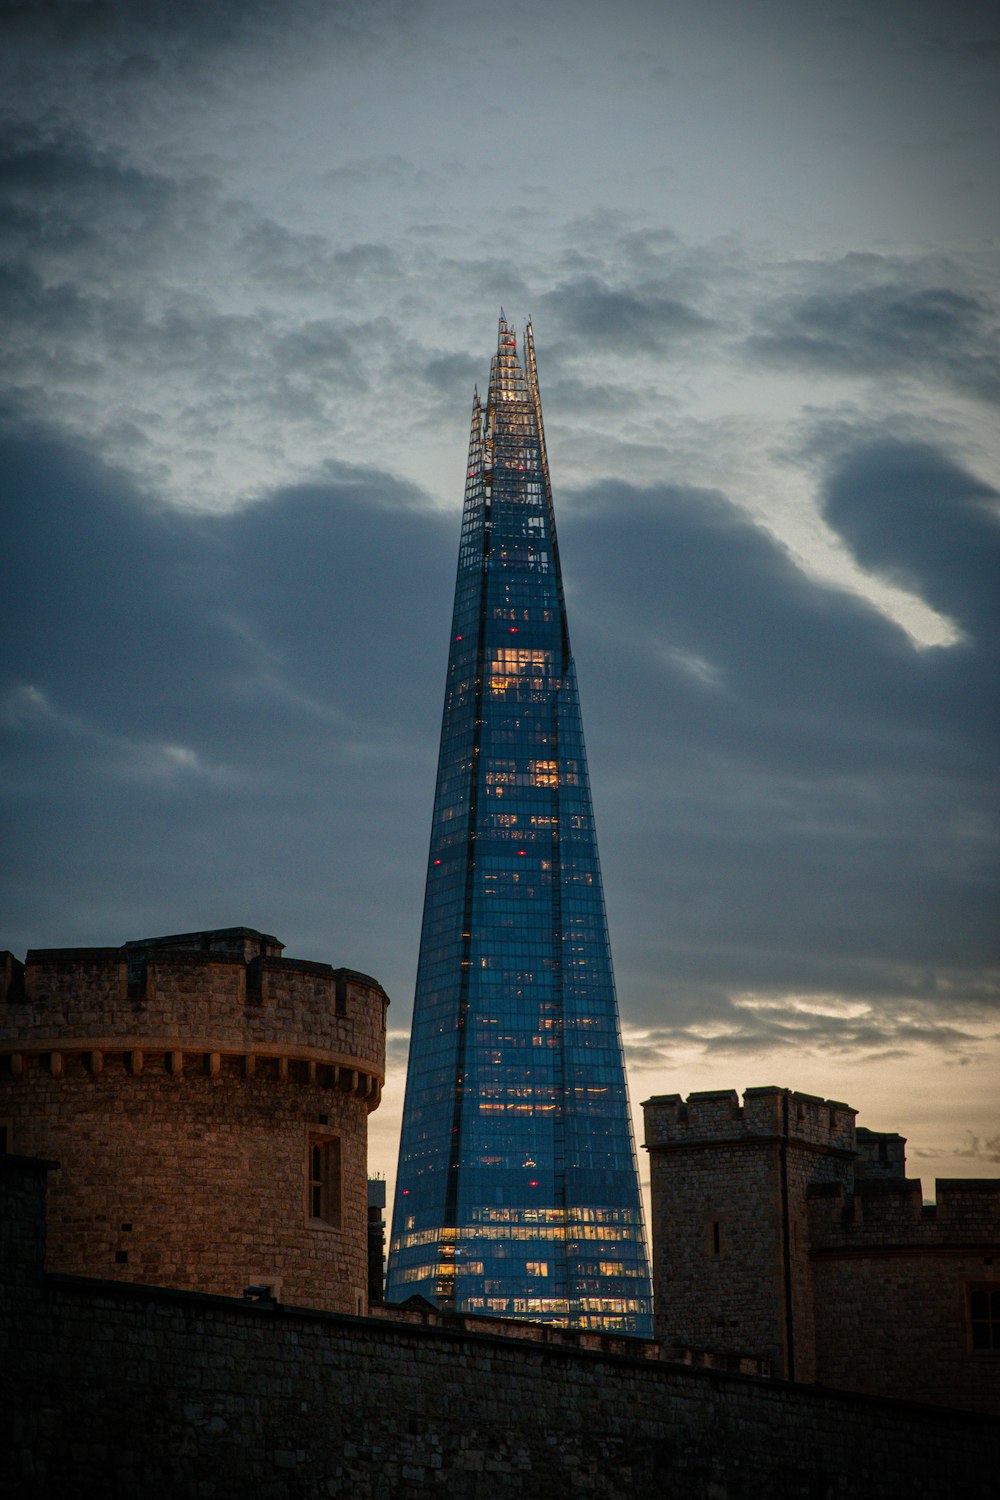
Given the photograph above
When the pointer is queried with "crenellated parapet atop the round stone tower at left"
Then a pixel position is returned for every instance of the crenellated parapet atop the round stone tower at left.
(217, 994)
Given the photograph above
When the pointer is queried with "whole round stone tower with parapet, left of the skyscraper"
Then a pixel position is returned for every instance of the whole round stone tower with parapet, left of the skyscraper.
(208, 1102)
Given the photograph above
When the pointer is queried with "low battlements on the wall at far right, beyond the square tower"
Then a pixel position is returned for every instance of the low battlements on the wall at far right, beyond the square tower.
(891, 1214)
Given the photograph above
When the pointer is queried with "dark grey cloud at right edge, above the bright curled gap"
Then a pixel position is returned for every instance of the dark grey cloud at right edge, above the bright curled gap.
(887, 325)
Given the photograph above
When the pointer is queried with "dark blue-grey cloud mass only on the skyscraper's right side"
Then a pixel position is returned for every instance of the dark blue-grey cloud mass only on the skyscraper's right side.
(825, 818)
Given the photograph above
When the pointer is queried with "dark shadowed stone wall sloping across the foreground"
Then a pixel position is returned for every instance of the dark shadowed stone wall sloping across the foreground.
(121, 1391)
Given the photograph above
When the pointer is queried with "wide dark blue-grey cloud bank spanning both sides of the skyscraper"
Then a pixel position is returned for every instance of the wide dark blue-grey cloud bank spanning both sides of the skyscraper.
(235, 719)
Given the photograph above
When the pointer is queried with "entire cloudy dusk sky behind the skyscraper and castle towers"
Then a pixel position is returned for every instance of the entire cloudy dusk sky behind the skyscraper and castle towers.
(251, 266)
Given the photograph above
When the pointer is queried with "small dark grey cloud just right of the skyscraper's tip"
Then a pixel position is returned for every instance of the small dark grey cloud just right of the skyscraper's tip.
(638, 319)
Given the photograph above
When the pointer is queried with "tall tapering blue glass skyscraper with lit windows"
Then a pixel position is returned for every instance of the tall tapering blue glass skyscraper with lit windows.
(518, 1193)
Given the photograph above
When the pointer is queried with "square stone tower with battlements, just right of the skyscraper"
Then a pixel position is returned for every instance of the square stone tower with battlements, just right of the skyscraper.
(731, 1247)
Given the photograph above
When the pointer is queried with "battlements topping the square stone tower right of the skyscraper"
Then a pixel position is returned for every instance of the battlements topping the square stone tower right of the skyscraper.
(767, 1114)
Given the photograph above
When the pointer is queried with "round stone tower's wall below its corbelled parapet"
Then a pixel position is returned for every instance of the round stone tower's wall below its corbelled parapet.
(196, 1181)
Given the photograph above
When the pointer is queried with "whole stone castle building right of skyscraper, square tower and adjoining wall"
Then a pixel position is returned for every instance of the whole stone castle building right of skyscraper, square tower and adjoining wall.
(791, 1243)
